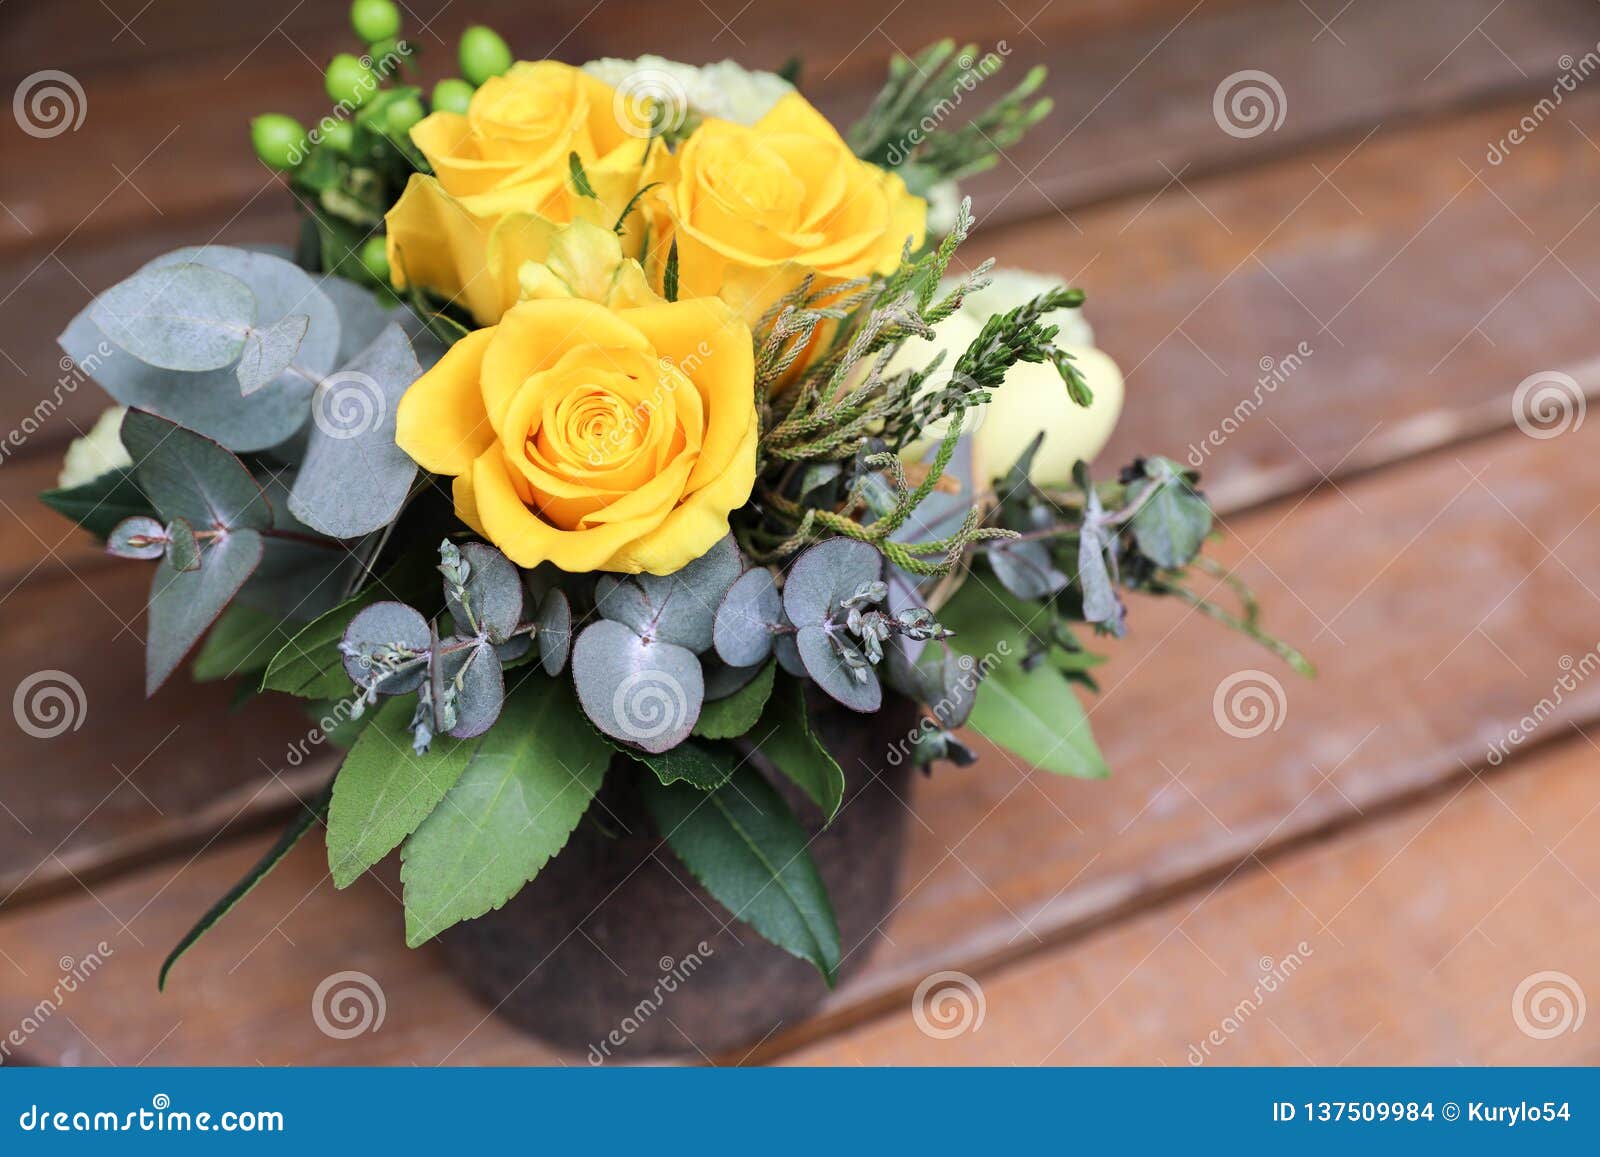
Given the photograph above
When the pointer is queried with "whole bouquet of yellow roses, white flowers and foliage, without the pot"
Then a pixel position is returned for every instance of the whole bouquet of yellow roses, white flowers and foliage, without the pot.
(612, 420)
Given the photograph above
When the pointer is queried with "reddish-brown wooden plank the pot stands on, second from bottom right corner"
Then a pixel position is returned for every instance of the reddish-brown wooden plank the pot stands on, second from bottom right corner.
(1439, 627)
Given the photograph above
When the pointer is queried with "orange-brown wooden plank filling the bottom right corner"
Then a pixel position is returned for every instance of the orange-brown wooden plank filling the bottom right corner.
(1401, 943)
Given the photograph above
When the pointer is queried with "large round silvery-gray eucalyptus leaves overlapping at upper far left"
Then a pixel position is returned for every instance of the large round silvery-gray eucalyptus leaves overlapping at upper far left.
(146, 353)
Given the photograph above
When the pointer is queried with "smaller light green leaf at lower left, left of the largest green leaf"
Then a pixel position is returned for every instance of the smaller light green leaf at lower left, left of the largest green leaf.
(385, 790)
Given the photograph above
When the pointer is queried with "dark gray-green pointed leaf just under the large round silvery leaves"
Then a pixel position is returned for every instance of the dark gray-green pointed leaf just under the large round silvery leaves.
(191, 478)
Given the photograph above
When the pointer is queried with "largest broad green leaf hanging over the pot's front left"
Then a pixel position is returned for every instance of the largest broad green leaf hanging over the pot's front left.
(514, 807)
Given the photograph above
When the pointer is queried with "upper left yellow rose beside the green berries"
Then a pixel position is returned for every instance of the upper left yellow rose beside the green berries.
(503, 180)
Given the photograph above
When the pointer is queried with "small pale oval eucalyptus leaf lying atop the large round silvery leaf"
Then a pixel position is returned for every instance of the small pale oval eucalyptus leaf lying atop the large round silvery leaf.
(178, 318)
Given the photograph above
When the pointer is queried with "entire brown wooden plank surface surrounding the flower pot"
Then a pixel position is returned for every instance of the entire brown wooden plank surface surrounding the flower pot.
(1436, 561)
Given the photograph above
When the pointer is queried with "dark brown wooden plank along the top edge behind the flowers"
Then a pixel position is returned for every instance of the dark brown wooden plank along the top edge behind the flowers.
(1134, 89)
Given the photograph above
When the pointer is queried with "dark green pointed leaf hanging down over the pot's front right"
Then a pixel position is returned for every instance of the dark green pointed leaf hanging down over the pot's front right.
(750, 852)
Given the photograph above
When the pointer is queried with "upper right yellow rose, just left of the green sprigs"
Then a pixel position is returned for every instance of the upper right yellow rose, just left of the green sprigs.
(756, 209)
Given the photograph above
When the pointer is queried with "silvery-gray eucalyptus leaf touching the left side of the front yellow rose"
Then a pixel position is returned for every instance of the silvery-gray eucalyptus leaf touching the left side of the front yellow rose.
(354, 478)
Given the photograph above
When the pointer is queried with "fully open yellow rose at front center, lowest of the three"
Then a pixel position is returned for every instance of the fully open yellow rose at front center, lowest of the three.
(593, 438)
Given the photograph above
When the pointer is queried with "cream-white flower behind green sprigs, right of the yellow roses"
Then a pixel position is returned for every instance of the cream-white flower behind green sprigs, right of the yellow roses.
(1033, 398)
